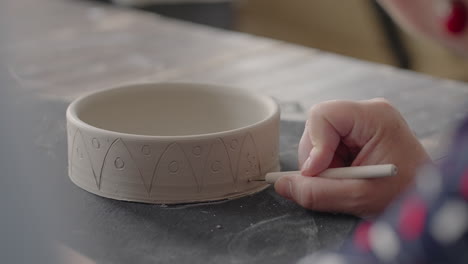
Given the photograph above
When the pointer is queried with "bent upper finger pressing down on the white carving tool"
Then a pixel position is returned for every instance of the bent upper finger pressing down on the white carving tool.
(328, 124)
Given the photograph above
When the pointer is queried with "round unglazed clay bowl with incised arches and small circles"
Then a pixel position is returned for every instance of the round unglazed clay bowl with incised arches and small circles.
(172, 142)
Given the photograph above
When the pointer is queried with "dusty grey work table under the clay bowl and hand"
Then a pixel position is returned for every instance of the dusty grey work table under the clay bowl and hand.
(56, 50)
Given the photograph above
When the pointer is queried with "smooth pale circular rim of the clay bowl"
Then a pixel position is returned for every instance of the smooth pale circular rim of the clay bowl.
(72, 116)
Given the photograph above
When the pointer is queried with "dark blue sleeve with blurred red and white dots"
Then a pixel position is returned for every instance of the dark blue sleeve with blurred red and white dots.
(427, 224)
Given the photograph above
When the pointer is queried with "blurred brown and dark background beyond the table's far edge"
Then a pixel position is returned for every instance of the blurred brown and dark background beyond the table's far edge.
(357, 28)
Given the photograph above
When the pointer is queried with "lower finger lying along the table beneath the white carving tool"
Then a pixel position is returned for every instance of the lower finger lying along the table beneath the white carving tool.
(333, 195)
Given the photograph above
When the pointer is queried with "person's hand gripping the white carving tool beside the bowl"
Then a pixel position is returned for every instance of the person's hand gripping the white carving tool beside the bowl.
(346, 133)
